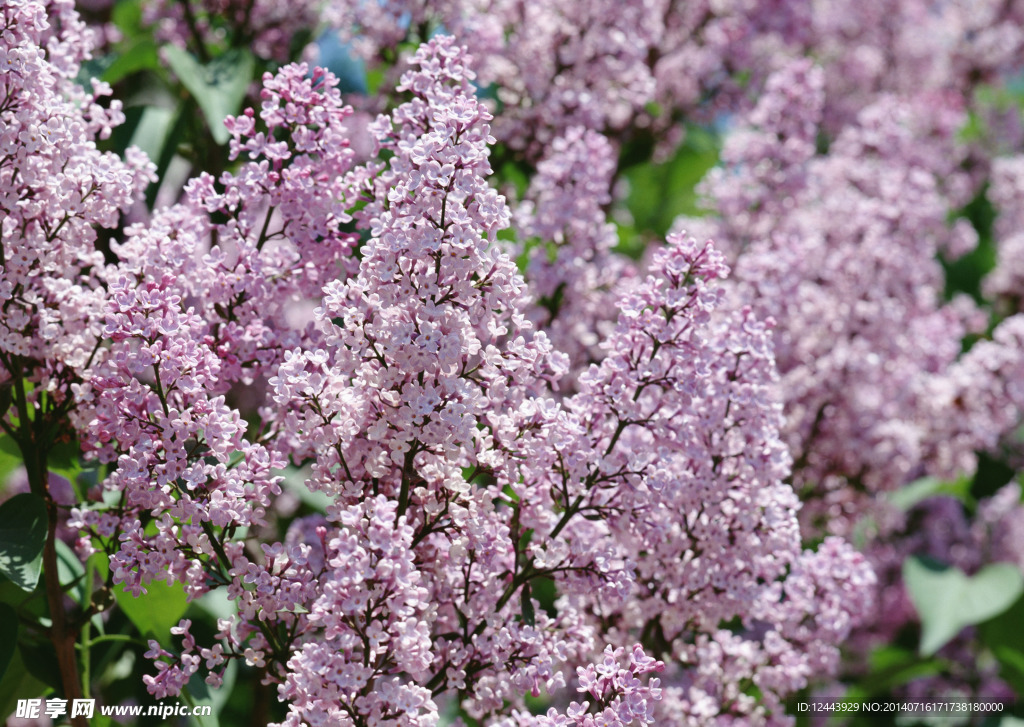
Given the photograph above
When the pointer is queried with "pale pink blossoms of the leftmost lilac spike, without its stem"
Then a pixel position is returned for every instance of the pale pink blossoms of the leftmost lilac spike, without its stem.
(56, 189)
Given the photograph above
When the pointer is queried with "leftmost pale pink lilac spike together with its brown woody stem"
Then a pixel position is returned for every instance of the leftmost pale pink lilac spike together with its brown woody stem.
(57, 190)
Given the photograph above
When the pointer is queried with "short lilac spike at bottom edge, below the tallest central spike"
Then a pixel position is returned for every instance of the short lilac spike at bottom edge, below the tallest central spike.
(372, 611)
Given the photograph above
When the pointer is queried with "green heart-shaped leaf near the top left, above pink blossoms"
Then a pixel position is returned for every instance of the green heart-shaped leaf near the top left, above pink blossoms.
(219, 88)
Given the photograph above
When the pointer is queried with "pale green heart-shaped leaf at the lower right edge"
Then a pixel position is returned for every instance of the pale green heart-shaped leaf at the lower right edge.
(948, 601)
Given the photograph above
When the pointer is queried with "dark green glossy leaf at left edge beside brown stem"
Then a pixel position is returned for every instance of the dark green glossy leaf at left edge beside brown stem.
(23, 535)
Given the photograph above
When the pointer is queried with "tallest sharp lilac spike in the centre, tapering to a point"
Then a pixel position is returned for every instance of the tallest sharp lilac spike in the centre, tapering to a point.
(423, 371)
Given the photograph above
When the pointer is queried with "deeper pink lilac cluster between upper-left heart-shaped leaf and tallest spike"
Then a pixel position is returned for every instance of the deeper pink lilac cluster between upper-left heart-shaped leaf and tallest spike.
(281, 236)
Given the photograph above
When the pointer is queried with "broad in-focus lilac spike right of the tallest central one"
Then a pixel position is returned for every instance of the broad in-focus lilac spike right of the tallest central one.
(682, 409)
